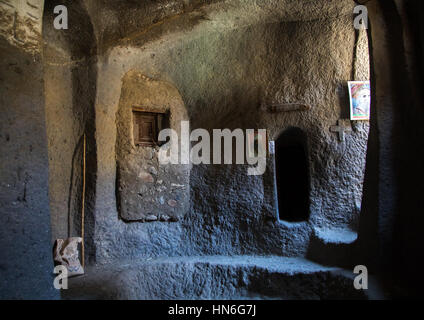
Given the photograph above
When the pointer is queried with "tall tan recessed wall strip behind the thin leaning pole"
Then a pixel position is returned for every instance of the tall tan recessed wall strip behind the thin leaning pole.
(70, 88)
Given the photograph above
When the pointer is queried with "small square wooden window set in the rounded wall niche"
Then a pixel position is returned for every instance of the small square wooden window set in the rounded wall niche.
(146, 127)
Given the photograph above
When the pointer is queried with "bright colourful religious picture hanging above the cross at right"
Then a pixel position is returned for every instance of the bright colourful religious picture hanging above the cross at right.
(360, 100)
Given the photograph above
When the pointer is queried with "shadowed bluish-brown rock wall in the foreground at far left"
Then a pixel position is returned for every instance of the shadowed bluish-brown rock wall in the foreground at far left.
(25, 257)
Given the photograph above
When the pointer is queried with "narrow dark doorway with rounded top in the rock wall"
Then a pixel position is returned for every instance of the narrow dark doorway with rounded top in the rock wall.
(292, 175)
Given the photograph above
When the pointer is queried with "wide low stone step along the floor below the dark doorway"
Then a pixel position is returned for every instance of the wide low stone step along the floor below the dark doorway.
(214, 277)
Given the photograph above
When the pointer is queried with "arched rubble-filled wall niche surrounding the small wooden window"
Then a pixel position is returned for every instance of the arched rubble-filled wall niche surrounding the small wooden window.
(146, 189)
